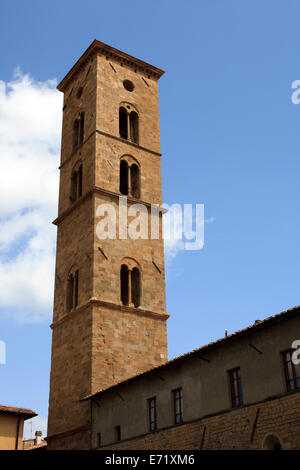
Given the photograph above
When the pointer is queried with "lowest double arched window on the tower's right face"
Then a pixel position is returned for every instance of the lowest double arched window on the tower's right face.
(130, 278)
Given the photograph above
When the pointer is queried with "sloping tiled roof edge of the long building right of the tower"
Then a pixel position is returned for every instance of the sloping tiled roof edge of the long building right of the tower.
(249, 329)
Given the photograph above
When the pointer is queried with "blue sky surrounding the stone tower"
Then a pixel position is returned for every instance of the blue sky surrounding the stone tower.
(229, 138)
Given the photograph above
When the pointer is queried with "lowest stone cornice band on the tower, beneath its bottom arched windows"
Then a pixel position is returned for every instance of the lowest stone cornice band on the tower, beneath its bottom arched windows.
(110, 305)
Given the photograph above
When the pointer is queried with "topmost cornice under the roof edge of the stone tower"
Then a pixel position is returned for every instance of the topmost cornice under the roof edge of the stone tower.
(110, 53)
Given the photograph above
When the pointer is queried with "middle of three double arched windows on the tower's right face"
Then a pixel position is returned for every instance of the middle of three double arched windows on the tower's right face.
(129, 177)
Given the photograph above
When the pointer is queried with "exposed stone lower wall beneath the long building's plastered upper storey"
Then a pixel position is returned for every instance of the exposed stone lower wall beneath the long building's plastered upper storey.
(232, 429)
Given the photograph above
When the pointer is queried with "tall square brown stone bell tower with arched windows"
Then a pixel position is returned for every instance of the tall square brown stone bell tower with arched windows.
(109, 319)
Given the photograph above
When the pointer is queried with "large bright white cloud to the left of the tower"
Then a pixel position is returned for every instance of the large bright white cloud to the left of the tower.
(30, 127)
